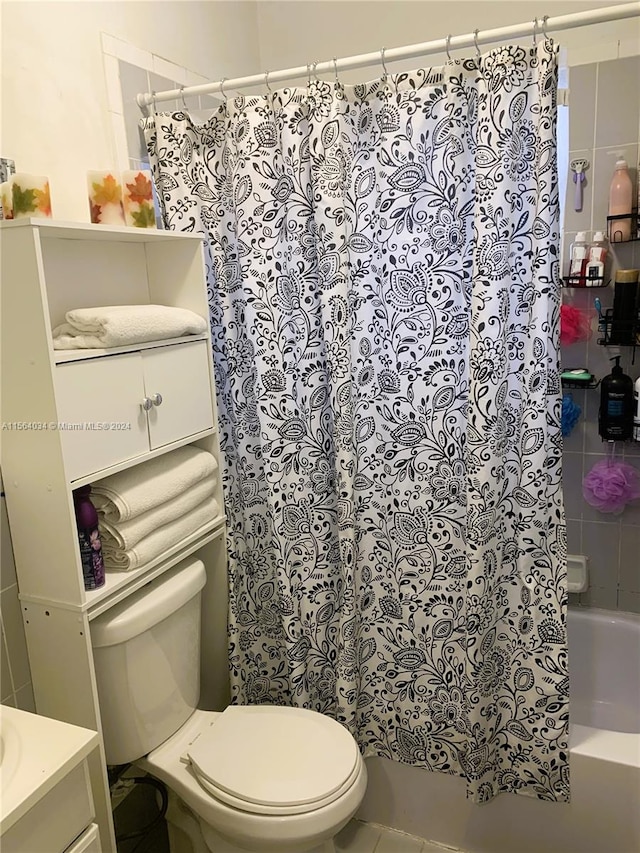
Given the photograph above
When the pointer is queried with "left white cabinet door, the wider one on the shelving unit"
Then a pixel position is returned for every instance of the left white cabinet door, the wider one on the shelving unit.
(100, 416)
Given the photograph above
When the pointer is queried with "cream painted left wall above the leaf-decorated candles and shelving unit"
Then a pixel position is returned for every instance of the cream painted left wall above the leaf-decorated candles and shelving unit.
(55, 109)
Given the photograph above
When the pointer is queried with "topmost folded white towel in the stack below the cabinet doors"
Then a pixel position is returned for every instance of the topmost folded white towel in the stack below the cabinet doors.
(129, 493)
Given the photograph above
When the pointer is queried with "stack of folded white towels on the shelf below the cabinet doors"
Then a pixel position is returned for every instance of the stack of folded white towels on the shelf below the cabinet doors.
(146, 510)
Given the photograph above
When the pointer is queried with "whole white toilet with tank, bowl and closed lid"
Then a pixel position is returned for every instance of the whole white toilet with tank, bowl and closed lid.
(254, 777)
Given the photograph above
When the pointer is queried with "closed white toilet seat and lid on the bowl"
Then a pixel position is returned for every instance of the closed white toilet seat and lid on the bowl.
(273, 760)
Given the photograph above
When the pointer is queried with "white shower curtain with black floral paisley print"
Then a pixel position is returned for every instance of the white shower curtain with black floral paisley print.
(383, 281)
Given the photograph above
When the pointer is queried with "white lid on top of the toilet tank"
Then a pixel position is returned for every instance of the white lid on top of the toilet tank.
(149, 605)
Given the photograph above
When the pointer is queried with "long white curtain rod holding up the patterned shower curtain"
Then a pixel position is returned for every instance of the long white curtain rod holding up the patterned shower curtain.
(561, 22)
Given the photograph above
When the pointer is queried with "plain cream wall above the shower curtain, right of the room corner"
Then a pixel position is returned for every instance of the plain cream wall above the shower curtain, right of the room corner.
(295, 33)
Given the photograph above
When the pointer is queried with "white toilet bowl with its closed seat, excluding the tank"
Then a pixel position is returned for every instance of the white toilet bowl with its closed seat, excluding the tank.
(283, 821)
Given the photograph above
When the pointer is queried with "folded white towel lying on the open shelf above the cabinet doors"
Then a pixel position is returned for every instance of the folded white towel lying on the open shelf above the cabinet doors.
(121, 325)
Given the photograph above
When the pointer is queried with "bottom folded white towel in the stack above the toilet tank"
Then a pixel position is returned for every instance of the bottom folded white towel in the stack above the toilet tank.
(156, 543)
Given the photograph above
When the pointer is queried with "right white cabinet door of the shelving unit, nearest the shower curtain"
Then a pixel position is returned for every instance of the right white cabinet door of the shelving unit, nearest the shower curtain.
(180, 374)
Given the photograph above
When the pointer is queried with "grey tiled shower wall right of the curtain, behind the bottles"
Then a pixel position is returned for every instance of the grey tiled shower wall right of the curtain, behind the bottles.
(604, 113)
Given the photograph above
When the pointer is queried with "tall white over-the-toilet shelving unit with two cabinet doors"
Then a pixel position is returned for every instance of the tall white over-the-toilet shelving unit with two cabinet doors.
(47, 269)
